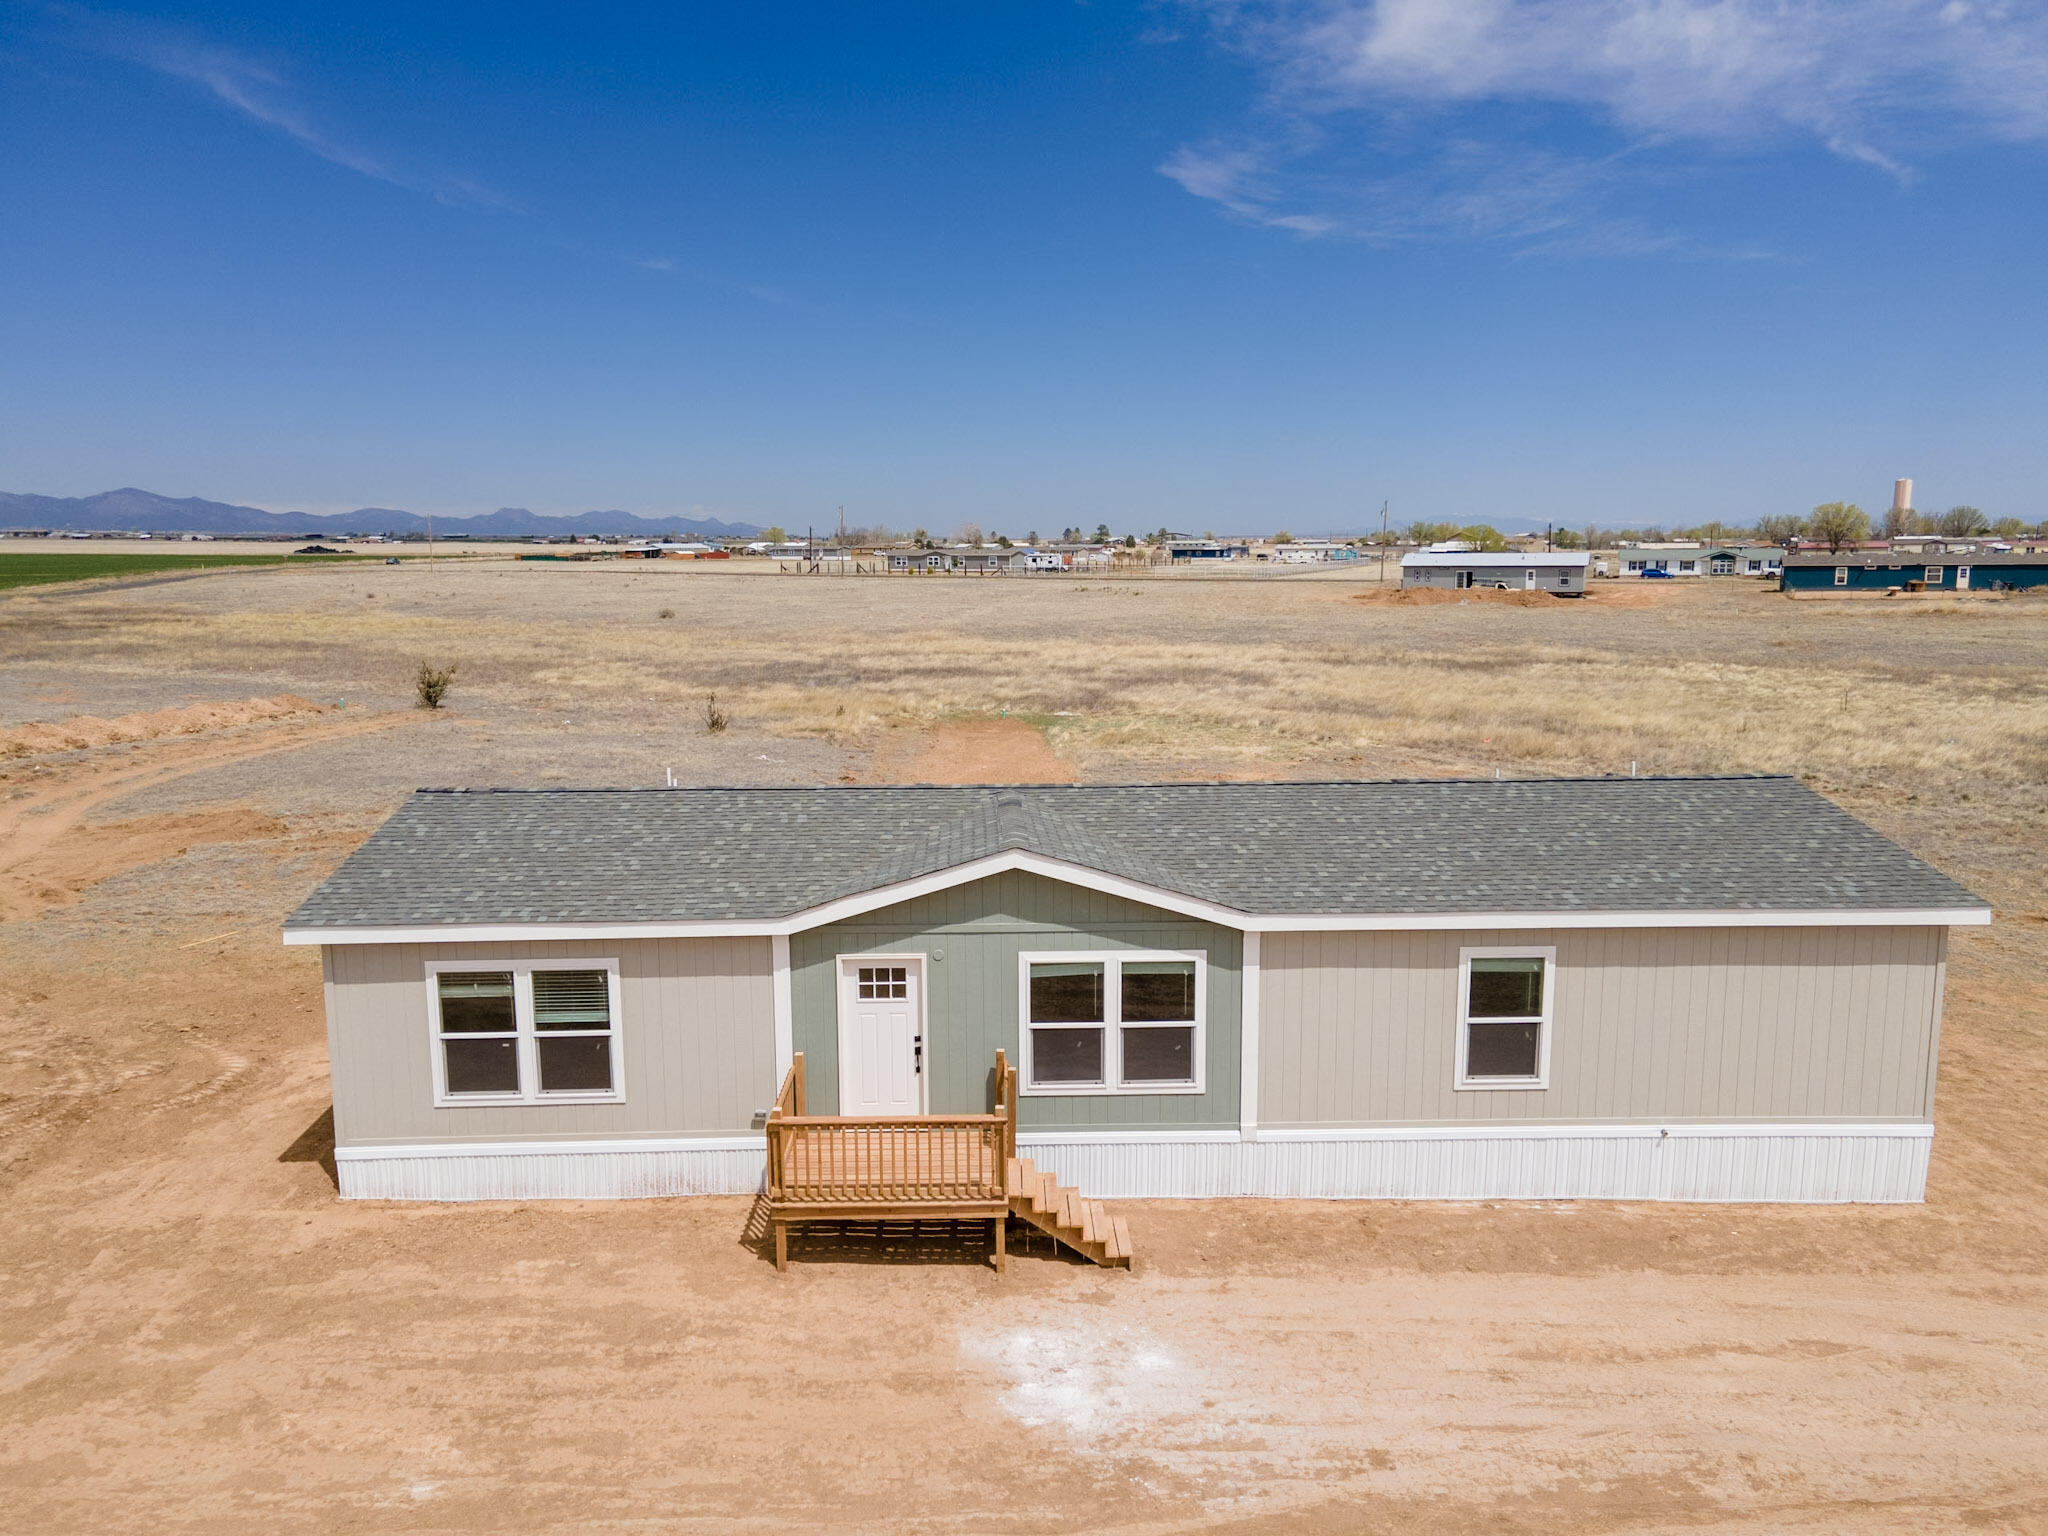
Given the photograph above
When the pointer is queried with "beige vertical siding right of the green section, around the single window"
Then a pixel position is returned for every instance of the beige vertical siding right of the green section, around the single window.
(1648, 1025)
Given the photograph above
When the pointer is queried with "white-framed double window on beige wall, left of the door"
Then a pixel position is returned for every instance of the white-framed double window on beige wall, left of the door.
(525, 1033)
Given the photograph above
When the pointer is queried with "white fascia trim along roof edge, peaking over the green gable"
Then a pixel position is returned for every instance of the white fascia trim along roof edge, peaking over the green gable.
(1152, 896)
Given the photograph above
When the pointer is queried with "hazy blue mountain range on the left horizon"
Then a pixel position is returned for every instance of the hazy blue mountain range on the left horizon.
(132, 511)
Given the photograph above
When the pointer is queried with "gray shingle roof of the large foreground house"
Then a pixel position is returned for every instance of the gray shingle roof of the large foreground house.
(1353, 849)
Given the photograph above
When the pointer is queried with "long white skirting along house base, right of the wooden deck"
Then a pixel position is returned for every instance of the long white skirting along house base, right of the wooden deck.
(1811, 1164)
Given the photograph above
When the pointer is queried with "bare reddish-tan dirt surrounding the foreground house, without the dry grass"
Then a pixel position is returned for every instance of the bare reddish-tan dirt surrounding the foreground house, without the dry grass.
(196, 1336)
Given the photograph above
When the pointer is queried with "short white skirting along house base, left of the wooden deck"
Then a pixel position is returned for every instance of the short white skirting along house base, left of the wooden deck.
(552, 1170)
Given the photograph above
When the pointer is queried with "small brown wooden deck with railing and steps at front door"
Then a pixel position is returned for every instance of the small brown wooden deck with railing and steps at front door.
(925, 1166)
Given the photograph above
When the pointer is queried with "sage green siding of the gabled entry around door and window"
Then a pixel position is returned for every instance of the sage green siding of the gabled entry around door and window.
(974, 994)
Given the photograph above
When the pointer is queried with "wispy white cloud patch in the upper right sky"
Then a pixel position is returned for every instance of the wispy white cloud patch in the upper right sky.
(1396, 120)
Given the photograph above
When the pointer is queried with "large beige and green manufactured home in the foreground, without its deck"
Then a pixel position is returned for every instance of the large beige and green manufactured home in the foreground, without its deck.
(1617, 988)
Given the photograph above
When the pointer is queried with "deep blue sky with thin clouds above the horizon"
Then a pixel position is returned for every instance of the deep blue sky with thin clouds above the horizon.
(1027, 265)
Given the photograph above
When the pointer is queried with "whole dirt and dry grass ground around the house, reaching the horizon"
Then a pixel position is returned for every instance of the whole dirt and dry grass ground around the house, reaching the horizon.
(196, 1336)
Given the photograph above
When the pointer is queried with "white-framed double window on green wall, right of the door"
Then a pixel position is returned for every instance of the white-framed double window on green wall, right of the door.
(1113, 1023)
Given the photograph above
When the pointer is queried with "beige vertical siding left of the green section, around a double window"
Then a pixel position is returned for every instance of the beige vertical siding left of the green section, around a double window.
(695, 1035)
